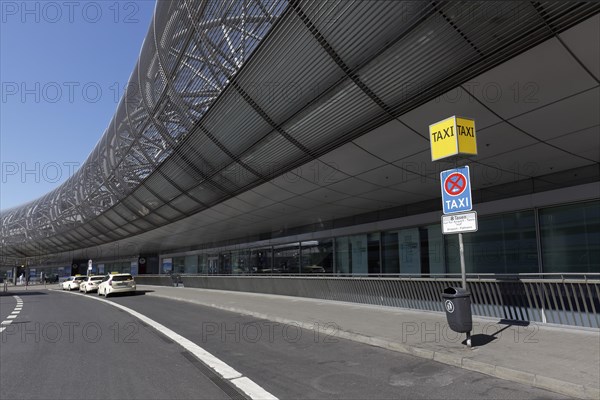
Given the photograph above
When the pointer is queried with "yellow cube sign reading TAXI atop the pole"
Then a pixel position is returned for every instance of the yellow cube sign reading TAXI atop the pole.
(452, 136)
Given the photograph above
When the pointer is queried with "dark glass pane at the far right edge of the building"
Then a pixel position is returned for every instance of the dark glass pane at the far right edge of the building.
(570, 238)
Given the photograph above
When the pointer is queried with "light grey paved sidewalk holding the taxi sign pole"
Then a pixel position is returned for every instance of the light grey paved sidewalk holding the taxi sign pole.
(563, 360)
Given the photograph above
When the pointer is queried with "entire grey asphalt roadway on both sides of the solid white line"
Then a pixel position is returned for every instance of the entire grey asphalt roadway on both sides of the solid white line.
(131, 360)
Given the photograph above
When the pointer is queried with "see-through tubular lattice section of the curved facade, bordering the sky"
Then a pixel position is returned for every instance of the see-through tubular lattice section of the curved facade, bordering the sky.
(191, 52)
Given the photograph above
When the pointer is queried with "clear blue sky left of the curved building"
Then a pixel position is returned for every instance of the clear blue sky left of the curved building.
(63, 67)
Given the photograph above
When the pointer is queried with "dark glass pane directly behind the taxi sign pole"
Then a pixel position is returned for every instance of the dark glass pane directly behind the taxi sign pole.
(503, 244)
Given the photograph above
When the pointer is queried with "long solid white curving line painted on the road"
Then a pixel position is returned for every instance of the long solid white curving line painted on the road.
(245, 384)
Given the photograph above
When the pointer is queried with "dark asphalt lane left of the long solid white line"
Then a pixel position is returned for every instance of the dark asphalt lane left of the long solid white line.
(67, 347)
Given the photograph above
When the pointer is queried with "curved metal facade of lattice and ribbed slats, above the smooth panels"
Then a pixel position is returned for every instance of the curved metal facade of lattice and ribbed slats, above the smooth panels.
(203, 121)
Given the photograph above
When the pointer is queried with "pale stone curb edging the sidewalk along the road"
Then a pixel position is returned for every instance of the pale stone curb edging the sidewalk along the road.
(497, 371)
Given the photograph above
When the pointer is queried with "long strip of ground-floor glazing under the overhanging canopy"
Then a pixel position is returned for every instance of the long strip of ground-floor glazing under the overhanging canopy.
(567, 238)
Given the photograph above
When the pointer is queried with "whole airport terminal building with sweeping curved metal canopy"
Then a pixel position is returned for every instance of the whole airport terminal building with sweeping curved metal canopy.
(280, 146)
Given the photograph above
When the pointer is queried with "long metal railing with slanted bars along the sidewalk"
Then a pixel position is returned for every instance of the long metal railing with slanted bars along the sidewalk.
(566, 299)
